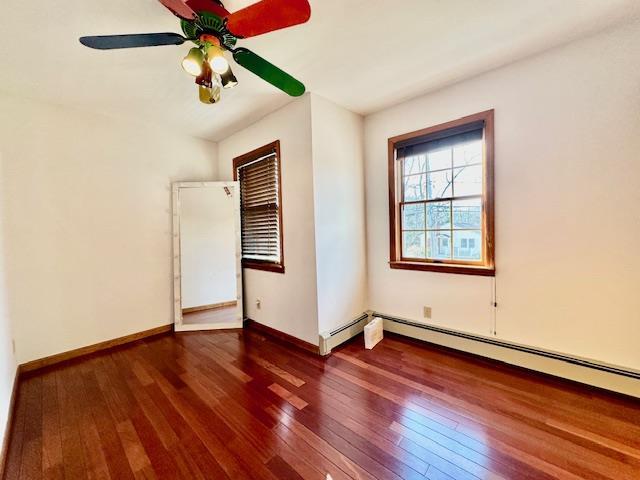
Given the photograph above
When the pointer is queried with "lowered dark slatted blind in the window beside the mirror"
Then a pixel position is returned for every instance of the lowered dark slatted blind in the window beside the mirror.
(260, 204)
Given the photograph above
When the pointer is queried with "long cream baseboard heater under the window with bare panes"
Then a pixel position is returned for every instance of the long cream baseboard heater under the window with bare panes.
(583, 370)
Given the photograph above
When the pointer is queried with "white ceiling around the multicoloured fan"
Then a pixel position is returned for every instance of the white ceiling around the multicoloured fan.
(361, 54)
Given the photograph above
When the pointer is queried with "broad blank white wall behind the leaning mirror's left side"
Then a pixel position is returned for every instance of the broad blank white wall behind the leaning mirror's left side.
(88, 221)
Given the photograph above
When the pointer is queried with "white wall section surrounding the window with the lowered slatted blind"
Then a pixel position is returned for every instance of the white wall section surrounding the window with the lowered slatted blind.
(288, 301)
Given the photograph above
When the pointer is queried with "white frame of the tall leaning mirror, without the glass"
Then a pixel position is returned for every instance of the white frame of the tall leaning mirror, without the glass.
(179, 326)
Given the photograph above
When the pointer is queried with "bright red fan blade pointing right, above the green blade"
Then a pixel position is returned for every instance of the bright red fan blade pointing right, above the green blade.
(267, 16)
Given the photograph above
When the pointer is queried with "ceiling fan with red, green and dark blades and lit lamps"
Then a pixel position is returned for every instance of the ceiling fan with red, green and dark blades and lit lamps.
(212, 29)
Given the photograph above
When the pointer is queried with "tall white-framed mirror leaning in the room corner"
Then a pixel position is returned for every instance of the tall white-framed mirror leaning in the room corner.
(206, 245)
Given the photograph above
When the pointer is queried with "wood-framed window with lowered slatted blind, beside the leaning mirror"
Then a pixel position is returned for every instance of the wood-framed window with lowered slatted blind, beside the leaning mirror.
(261, 208)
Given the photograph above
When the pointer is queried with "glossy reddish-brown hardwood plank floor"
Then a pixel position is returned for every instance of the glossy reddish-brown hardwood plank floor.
(235, 405)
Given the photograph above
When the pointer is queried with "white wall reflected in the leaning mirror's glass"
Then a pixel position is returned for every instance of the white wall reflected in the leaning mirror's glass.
(207, 246)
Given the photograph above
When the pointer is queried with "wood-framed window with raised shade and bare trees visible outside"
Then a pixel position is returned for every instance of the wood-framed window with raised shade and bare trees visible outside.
(441, 197)
